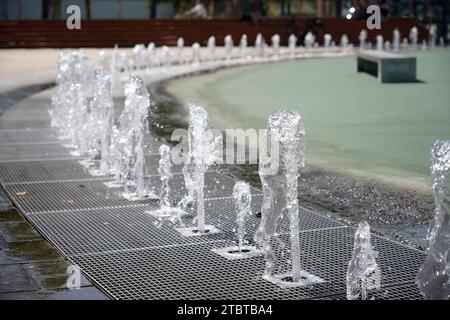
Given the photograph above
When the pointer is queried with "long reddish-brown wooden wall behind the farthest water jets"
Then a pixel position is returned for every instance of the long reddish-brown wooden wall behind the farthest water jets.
(126, 33)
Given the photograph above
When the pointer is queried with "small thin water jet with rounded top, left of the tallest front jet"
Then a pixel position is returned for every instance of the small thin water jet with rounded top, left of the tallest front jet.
(243, 198)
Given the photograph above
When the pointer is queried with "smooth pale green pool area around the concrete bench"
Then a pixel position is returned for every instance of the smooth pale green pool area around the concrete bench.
(354, 123)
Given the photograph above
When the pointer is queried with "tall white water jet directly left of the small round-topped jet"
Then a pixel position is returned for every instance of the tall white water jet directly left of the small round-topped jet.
(203, 149)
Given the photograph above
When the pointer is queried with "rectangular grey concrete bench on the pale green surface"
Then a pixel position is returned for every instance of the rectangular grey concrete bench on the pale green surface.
(387, 66)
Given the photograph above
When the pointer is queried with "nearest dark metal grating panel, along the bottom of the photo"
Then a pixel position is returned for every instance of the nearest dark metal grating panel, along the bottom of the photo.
(194, 272)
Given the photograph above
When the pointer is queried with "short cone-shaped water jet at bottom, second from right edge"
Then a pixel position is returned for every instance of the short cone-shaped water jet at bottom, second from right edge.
(363, 273)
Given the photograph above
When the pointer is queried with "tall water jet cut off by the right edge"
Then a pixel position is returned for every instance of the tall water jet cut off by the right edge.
(433, 278)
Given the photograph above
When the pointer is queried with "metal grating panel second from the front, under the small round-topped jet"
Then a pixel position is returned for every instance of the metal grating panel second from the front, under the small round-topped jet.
(100, 230)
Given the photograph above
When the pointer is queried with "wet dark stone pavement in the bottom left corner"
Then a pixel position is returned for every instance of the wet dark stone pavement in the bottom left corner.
(30, 268)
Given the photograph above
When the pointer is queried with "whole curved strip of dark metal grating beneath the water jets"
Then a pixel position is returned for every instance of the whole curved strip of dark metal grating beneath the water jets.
(132, 255)
